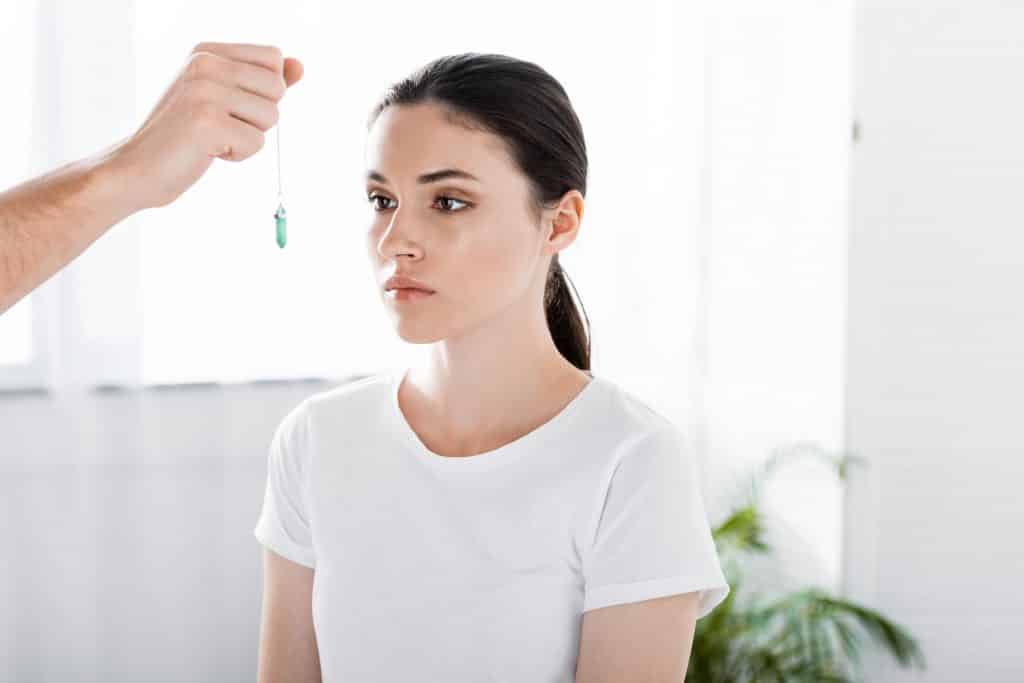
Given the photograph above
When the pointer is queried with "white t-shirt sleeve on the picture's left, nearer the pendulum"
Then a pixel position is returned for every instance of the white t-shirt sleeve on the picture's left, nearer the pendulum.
(284, 524)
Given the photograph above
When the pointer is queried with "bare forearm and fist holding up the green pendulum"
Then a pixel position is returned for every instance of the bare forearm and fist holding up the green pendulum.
(220, 105)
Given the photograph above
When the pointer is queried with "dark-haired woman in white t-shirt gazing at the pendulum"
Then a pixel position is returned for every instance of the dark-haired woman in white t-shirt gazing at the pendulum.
(498, 514)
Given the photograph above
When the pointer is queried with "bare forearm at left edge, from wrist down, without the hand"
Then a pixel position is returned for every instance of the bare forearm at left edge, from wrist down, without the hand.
(48, 222)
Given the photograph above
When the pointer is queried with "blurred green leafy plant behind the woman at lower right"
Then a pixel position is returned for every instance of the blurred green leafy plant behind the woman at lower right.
(803, 635)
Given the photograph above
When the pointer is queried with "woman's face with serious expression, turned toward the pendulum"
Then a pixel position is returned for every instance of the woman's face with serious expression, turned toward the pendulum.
(472, 241)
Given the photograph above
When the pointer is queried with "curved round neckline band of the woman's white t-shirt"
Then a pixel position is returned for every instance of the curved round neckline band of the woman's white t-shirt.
(503, 454)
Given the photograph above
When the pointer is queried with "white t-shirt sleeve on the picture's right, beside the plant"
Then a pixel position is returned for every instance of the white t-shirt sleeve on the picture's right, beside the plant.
(653, 538)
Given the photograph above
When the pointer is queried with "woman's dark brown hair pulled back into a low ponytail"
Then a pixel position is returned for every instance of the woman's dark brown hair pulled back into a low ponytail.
(528, 109)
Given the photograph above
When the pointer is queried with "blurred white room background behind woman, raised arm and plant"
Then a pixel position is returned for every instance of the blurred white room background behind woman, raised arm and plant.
(800, 229)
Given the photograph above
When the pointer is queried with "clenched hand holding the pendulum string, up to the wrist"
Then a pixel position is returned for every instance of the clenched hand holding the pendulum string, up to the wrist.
(221, 105)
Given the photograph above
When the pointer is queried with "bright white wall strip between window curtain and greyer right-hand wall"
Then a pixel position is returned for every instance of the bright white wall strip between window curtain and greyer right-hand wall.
(773, 250)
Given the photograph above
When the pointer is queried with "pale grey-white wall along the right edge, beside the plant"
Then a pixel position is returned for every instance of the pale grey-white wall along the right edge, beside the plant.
(936, 331)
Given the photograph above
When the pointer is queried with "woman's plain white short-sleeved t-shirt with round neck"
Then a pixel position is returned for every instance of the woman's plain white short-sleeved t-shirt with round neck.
(479, 569)
